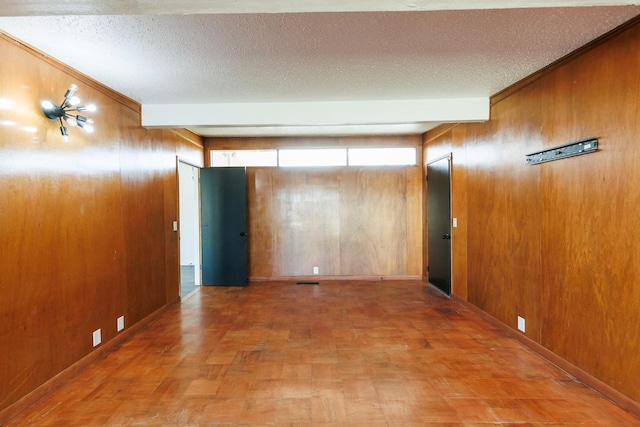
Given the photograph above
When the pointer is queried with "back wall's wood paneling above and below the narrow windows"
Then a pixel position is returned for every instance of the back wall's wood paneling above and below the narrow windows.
(358, 222)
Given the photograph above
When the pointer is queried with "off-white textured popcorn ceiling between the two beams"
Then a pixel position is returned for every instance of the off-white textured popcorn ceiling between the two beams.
(298, 60)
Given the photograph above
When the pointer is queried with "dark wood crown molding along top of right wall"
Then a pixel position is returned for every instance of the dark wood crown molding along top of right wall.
(505, 93)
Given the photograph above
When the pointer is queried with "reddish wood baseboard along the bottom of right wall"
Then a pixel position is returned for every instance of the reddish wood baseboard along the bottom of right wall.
(606, 390)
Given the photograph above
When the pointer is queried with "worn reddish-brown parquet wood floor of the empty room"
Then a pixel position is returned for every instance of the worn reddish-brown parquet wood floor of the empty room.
(338, 354)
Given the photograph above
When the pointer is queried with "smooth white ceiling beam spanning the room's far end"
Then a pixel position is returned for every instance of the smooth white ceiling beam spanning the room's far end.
(337, 117)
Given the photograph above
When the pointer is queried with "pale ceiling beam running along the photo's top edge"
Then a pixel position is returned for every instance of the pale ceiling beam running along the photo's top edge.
(176, 7)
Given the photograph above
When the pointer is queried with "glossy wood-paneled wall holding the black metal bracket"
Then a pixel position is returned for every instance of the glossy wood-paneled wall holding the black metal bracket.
(557, 243)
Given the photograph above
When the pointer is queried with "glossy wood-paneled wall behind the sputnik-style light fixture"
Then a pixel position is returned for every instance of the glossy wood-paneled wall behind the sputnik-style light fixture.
(85, 226)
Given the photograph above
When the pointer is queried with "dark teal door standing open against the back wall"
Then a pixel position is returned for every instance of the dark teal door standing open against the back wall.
(224, 226)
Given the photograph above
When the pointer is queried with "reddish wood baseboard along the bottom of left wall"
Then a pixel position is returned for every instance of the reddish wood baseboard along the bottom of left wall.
(67, 374)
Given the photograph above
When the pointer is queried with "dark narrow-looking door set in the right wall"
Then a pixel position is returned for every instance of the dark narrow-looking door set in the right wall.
(439, 224)
